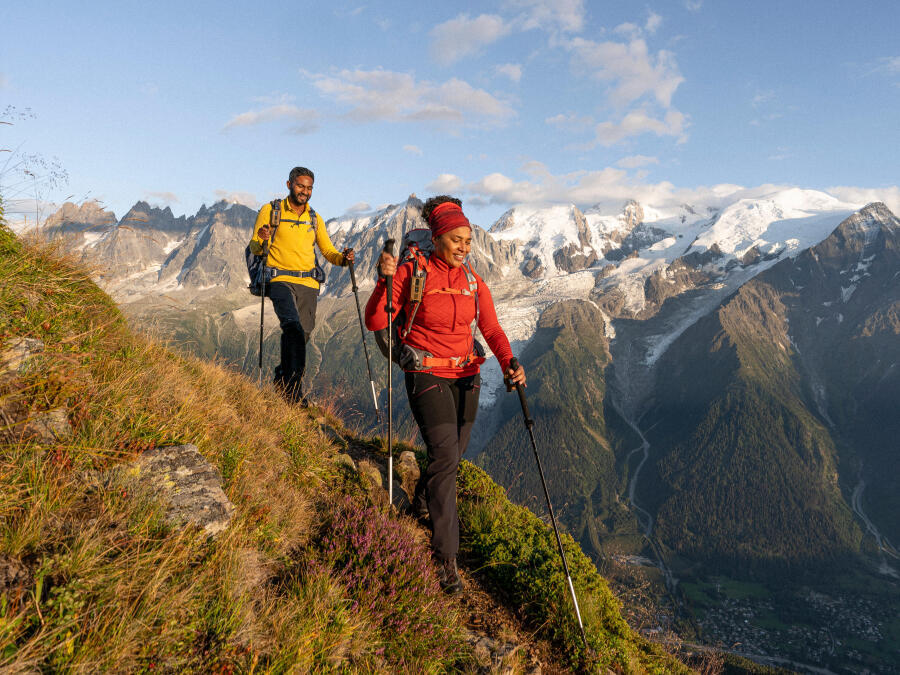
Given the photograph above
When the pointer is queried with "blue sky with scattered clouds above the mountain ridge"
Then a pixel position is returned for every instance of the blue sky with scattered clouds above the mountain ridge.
(499, 102)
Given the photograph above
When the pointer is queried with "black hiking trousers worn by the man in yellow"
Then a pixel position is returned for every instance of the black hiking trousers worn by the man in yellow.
(295, 306)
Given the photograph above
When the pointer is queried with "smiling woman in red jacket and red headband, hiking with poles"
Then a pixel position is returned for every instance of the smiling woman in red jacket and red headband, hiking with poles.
(442, 363)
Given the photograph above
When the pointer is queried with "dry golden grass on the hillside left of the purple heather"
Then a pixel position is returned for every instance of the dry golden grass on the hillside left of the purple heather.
(103, 582)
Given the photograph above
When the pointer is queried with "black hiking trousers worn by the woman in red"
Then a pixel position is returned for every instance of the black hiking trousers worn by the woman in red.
(445, 411)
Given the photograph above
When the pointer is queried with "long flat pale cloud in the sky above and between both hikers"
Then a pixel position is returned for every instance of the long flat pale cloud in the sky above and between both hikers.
(384, 95)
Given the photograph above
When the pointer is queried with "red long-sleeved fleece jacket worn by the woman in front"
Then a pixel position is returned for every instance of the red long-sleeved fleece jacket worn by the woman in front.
(442, 321)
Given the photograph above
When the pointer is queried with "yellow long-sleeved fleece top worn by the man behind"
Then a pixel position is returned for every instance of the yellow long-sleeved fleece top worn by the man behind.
(292, 247)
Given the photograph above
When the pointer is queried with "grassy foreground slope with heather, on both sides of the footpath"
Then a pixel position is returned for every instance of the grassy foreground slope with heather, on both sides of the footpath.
(309, 576)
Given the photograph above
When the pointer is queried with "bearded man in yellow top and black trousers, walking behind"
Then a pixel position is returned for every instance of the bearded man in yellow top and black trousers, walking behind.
(294, 293)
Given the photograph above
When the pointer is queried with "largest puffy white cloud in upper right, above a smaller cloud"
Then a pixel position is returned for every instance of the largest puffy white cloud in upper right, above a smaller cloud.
(632, 70)
